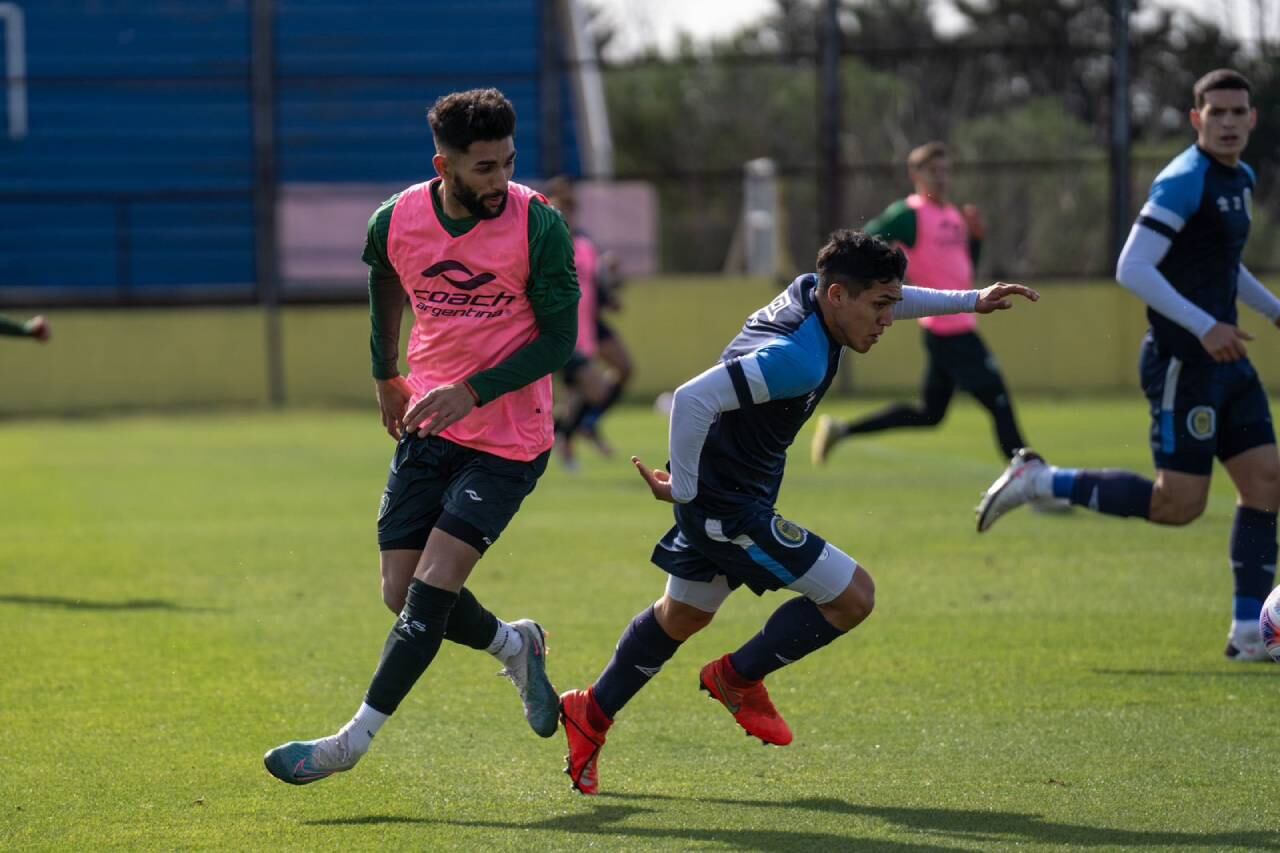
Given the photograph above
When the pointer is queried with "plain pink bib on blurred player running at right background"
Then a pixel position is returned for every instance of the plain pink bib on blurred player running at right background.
(940, 259)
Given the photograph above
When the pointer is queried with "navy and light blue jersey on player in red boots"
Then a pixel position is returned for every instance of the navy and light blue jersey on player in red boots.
(781, 366)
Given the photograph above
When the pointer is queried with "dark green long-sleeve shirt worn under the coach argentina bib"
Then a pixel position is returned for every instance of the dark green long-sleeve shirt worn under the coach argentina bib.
(552, 291)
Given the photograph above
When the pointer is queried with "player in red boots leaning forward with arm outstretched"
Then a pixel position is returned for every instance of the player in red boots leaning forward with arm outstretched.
(730, 431)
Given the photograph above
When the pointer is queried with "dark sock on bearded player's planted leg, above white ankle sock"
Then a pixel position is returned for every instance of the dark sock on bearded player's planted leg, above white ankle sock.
(412, 646)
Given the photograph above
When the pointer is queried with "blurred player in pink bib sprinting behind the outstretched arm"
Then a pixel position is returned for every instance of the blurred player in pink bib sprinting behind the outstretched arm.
(941, 244)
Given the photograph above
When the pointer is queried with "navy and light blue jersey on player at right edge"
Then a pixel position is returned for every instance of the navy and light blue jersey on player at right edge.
(1205, 209)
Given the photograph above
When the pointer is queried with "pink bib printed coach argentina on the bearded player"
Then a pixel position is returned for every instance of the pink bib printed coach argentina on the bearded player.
(470, 313)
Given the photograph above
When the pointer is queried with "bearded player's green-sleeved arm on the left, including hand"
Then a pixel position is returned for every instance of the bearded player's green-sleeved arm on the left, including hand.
(387, 300)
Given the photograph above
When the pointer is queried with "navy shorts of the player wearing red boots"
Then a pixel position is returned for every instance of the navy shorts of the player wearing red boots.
(758, 549)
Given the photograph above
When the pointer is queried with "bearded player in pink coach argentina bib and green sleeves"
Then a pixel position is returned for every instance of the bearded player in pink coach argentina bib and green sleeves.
(487, 267)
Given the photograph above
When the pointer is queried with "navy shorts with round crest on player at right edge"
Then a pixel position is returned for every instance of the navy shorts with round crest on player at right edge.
(1203, 410)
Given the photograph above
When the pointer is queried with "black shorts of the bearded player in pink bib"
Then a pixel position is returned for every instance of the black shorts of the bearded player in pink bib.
(465, 492)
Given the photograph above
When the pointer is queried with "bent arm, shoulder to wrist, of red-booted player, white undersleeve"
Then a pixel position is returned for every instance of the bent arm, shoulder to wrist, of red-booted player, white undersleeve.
(784, 370)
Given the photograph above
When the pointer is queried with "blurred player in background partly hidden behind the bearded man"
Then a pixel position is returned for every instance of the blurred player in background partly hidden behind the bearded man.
(592, 387)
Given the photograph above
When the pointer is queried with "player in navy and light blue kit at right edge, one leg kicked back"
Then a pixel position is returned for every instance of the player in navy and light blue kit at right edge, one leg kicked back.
(1183, 261)
